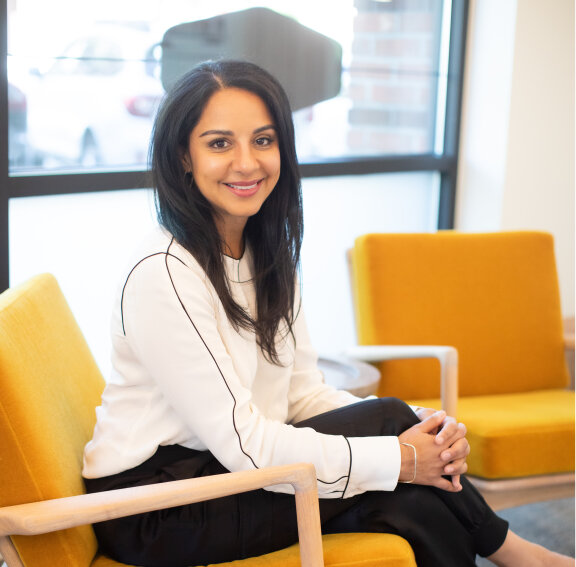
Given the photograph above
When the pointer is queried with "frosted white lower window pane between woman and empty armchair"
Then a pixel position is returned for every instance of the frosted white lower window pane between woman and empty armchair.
(336, 211)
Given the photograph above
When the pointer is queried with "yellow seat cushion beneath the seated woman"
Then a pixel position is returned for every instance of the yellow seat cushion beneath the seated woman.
(340, 550)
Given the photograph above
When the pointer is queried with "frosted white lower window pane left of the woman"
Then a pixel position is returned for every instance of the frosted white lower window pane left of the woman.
(86, 240)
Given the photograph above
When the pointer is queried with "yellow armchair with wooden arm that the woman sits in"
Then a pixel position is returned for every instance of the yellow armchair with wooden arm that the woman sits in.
(49, 388)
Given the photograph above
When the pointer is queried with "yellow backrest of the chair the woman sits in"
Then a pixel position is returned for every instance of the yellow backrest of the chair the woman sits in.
(49, 388)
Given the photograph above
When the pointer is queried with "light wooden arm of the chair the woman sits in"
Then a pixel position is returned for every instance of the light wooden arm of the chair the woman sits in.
(52, 515)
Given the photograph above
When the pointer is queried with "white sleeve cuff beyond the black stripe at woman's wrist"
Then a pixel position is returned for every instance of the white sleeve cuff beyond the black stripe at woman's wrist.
(375, 464)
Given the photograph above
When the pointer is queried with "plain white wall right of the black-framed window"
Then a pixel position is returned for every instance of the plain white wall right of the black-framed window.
(517, 154)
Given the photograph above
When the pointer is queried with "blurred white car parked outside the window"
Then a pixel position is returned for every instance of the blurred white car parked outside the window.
(95, 104)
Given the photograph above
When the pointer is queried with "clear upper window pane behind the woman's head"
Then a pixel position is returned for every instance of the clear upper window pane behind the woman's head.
(84, 88)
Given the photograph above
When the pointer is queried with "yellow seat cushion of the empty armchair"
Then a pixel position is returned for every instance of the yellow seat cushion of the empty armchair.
(517, 435)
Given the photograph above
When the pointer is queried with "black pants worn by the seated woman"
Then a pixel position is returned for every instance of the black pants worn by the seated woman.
(444, 529)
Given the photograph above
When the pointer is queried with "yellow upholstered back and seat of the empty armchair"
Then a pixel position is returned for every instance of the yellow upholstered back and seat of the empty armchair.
(494, 298)
